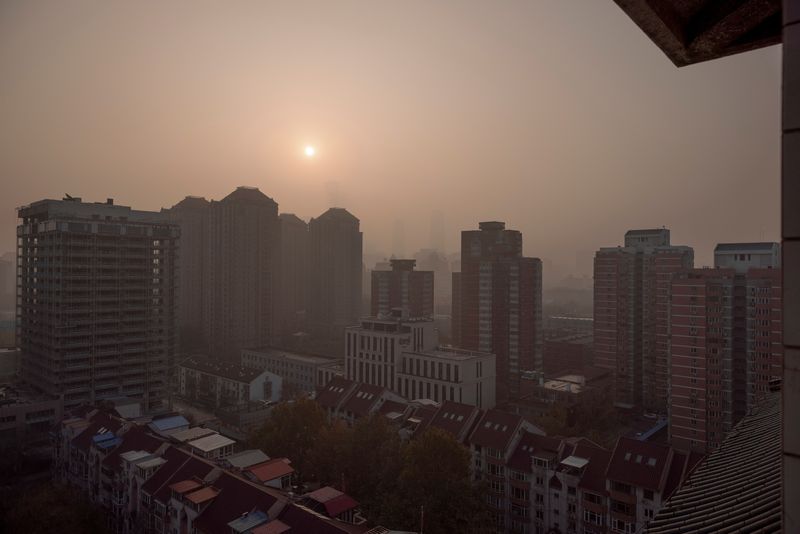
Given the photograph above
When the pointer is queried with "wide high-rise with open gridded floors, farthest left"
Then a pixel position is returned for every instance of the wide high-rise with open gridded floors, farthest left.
(96, 311)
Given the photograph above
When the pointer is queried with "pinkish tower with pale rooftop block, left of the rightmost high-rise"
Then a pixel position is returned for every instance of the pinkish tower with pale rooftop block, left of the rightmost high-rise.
(631, 292)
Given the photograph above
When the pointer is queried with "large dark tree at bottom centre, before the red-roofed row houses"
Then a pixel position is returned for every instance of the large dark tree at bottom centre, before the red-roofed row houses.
(436, 475)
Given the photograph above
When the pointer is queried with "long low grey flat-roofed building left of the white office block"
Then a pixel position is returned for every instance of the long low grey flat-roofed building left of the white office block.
(300, 372)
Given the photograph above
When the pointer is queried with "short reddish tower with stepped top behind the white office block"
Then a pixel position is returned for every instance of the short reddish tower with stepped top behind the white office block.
(402, 287)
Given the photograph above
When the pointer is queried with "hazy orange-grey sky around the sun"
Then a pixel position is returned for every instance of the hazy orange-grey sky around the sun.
(559, 117)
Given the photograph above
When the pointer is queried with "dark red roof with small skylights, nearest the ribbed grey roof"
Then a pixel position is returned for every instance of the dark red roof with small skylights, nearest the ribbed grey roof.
(639, 463)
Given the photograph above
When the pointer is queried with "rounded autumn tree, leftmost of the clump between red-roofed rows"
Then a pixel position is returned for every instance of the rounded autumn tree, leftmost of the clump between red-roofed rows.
(292, 430)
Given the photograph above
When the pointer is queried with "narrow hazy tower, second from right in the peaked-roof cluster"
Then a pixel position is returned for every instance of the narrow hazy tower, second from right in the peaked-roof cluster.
(293, 287)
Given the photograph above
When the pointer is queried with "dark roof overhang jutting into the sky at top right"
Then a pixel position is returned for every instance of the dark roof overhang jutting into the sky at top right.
(692, 31)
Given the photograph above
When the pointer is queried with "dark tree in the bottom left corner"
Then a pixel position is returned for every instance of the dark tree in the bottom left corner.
(52, 508)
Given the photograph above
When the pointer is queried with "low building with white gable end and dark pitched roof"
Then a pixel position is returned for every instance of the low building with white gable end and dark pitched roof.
(225, 385)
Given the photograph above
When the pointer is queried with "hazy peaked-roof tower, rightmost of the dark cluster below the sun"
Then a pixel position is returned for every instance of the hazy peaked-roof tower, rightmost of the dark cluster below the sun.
(335, 260)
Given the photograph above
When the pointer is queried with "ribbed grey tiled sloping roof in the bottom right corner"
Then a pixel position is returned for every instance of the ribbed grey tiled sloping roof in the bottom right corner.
(736, 488)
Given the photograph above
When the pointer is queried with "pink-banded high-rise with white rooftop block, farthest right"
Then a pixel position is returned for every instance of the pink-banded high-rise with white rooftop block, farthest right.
(725, 336)
